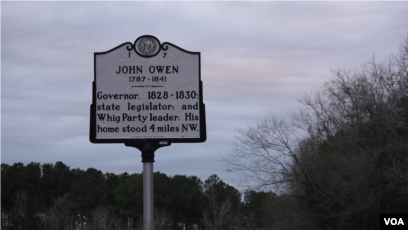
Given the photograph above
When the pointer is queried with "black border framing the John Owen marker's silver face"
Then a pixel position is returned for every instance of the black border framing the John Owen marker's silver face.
(157, 141)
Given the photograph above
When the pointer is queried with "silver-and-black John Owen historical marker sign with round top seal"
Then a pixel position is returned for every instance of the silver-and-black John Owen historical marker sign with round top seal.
(147, 91)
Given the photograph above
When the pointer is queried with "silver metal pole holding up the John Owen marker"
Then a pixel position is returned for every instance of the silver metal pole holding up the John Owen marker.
(148, 208)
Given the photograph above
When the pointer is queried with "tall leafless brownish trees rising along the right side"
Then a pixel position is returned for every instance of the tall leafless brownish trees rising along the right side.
(339, 159)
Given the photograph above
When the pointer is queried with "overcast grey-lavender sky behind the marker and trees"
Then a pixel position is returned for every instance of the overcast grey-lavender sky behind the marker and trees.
(256, 57)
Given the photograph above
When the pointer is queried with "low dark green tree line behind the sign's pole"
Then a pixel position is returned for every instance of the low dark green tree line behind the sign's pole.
(54, 196)
